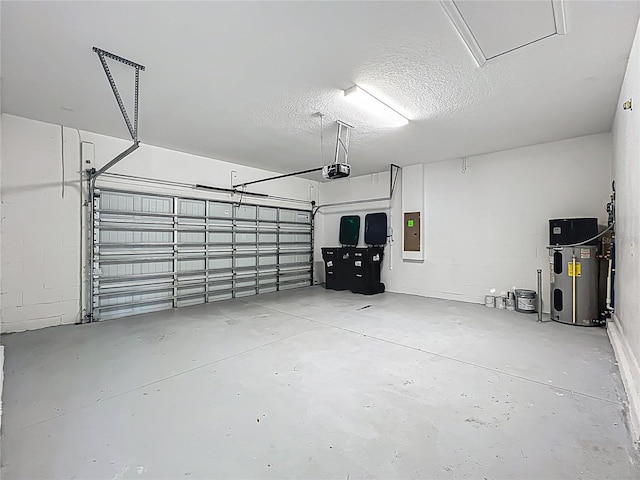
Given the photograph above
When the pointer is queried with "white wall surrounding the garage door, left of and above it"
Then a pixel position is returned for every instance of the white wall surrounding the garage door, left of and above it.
(42, 241)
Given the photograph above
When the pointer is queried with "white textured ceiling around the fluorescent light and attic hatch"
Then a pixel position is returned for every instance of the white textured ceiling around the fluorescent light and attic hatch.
(241, 81)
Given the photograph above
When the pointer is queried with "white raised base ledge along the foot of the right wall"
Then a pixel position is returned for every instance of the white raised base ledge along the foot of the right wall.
(630, 373)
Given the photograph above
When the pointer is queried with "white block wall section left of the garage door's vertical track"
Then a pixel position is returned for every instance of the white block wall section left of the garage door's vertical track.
(41, 241)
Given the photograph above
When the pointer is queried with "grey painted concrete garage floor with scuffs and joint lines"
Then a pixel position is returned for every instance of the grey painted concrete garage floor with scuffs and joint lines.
(316, 384)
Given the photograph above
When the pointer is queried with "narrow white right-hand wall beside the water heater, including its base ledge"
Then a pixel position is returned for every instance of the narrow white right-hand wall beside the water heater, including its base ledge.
(624, 329)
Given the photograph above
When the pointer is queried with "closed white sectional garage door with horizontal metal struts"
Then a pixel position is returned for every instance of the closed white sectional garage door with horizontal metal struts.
(154, 252)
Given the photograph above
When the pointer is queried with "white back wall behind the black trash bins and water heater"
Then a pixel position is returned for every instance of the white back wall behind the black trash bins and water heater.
(487, 227)
